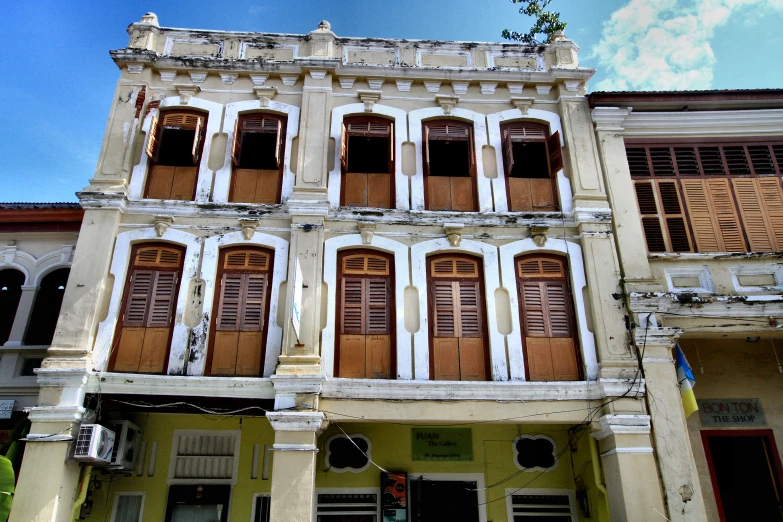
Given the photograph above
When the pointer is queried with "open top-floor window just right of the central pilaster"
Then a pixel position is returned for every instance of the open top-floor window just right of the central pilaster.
(367, 160)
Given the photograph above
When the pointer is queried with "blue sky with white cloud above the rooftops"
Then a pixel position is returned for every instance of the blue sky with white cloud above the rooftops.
(58, 78)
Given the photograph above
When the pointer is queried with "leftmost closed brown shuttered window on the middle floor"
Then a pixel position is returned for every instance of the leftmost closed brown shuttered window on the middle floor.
(143, 336)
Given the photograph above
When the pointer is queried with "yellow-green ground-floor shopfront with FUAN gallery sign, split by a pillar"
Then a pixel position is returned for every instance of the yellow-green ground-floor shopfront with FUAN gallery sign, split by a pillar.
(204, 468)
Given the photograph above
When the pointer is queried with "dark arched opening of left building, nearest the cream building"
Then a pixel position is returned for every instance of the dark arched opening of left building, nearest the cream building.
(46, 310)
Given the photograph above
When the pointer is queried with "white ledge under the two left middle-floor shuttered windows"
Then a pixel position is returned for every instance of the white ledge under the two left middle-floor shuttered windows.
(195, 386)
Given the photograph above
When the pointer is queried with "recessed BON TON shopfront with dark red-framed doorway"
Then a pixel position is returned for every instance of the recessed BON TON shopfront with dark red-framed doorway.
(736, 433)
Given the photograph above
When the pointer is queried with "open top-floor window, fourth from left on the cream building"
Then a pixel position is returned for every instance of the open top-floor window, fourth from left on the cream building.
(449, 166)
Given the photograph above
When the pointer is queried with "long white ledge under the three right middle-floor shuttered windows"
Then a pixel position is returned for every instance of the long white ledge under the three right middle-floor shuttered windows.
(510, 391)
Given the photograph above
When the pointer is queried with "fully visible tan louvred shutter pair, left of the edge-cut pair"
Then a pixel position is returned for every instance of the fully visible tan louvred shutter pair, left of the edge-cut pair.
(713, 217)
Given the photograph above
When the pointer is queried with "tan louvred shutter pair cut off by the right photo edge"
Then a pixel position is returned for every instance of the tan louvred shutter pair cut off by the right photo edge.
(761, 206)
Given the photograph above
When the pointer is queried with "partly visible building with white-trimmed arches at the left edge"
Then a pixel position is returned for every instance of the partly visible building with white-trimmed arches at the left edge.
(37, 241)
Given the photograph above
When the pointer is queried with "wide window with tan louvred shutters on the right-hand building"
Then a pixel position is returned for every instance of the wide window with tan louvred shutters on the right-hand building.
(709, 197)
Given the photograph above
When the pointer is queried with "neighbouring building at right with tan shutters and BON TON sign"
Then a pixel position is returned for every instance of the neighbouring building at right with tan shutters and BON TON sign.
(700, 248)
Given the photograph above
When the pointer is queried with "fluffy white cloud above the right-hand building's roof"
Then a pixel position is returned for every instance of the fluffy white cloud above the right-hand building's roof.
(665, 45)
